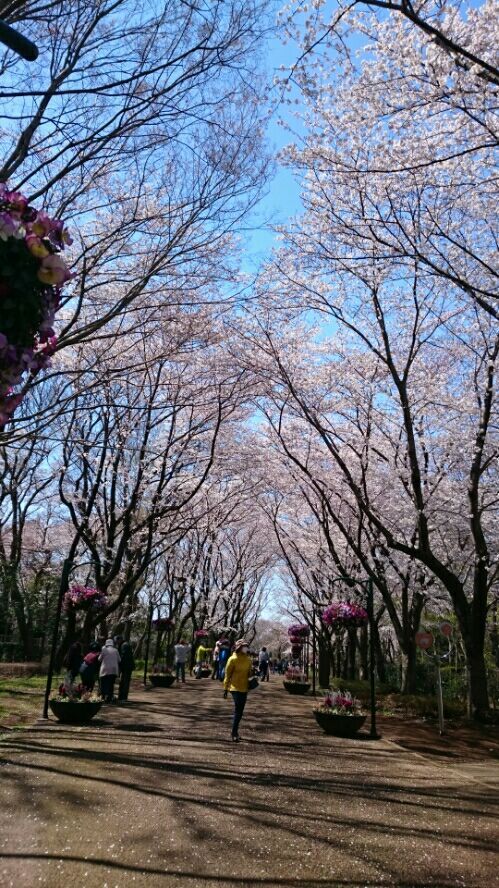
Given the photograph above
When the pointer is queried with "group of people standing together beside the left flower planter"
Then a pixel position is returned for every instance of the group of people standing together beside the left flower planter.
(102, 664)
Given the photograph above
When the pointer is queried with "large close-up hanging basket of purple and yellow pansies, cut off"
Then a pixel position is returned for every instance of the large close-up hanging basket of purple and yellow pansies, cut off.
(31, 276)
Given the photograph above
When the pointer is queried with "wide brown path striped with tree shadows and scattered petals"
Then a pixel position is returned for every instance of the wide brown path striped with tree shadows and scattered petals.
(155, 795)
